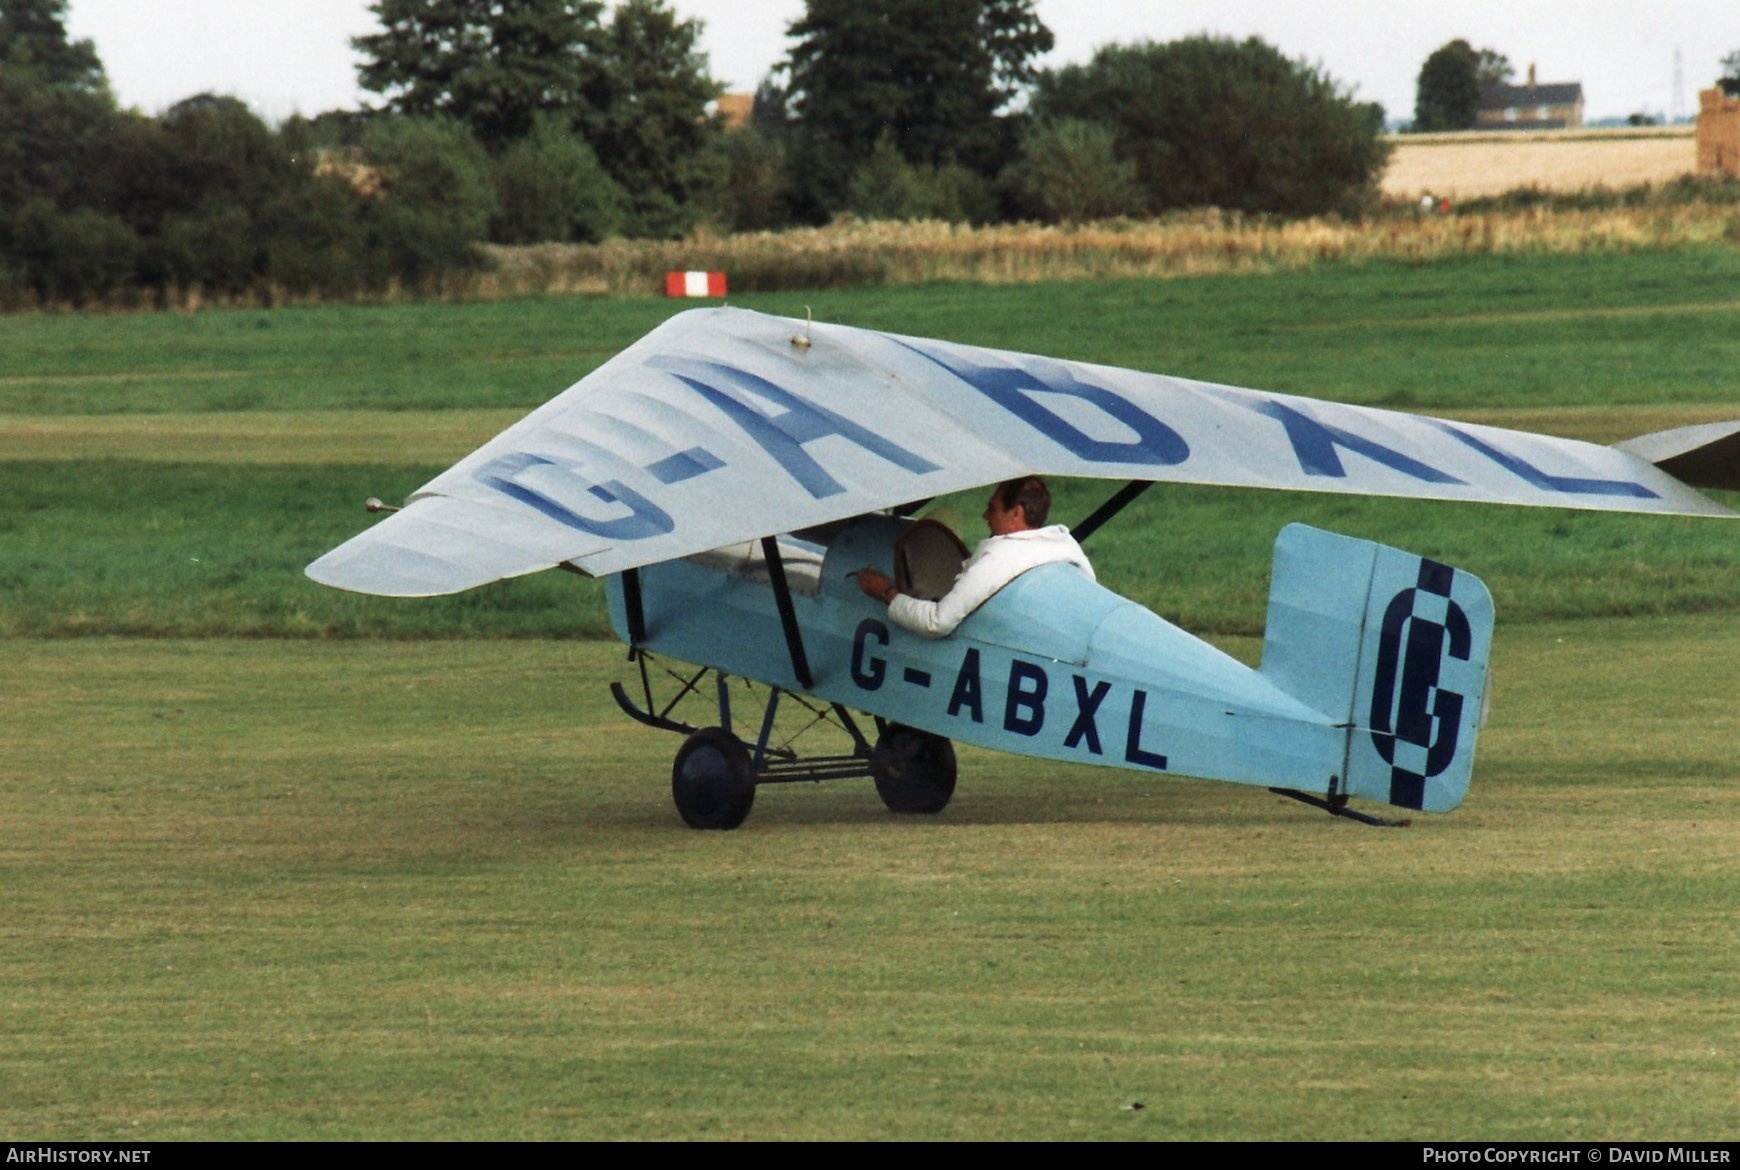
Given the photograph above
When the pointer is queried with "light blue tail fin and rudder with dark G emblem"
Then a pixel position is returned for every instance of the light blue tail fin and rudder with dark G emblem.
(1395, 649)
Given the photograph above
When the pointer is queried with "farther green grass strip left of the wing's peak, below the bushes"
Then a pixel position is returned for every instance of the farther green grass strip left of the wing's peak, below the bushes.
(342, 358)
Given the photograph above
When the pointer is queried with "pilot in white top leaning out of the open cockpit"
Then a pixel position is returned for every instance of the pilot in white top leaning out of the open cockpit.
(1019, 542)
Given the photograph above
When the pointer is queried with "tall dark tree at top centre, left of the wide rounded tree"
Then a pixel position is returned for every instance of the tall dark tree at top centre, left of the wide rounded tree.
(930, 74)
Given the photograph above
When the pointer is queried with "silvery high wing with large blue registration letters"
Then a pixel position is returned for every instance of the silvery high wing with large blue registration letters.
(726, 426)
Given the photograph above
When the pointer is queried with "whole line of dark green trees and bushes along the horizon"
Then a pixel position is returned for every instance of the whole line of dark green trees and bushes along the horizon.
(558, 121)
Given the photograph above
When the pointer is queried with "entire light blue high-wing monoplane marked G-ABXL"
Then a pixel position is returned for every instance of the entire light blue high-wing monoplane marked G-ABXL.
(732, 471)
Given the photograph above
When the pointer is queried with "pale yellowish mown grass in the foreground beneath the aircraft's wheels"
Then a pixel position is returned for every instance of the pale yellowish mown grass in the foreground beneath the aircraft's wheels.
(305, 891)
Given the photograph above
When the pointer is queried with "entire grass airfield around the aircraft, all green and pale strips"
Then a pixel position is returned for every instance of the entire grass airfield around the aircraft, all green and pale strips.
(283, 863)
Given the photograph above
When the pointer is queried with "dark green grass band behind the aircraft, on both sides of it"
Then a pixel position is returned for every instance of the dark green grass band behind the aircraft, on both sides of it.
(211, 549)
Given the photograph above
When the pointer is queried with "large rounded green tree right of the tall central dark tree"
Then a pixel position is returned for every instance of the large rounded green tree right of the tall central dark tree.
(1212, 121)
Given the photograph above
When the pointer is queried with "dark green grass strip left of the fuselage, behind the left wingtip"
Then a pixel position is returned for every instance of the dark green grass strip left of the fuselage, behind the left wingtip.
(203, 549)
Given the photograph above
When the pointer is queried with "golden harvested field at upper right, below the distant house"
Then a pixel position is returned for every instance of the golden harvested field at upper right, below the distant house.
(1471, 166)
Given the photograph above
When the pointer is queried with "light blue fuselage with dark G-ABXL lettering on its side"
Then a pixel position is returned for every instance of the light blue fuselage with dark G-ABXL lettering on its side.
(1054, 666)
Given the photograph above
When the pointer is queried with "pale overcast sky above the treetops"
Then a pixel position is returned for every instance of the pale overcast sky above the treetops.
(293, 57)
